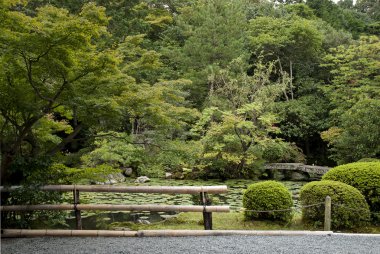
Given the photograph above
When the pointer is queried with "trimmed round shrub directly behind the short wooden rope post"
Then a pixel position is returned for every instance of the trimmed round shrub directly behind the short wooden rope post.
(348, 206)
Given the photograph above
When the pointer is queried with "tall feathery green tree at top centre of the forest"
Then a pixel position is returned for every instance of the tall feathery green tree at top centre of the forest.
(212, 34)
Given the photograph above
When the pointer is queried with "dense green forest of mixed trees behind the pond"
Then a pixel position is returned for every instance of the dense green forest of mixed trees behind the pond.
(208, 88)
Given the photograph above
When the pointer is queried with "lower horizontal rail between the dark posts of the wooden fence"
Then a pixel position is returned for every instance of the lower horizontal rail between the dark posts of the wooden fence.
(105, 207)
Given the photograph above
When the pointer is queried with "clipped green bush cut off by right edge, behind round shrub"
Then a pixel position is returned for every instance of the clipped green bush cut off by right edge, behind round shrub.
(364, 176)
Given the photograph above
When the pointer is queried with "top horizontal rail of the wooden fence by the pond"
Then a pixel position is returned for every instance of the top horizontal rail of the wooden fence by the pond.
(129, 189)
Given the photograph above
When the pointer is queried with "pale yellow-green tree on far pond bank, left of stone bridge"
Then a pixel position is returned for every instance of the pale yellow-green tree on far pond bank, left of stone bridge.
(240, 124)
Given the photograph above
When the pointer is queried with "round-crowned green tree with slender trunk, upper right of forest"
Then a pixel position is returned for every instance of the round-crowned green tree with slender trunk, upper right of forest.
(294, 42)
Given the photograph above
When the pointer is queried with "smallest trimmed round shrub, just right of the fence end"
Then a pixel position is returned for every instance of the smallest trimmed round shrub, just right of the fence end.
(268, 196)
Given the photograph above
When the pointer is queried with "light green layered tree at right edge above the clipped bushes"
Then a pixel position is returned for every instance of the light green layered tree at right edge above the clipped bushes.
(354, 92)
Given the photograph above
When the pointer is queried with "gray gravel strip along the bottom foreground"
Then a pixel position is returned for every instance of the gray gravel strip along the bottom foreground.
(218, 244)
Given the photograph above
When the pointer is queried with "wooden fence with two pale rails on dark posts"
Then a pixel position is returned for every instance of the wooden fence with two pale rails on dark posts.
(202, 191)
